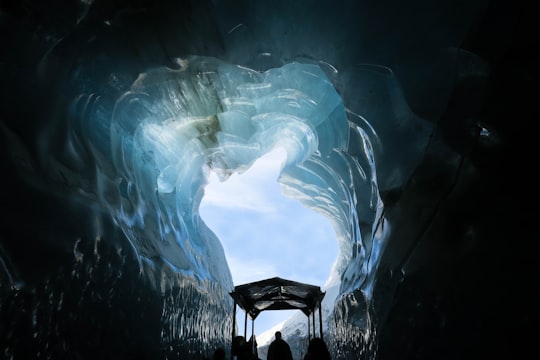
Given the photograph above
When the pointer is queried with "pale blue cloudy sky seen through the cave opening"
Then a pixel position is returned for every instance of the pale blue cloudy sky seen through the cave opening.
(265, 234)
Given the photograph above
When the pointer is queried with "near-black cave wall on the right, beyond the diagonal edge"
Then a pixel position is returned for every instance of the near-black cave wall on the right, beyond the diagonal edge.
(465, 294)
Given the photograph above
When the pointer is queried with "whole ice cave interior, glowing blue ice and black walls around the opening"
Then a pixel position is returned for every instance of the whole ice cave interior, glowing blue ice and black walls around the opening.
(407, 124)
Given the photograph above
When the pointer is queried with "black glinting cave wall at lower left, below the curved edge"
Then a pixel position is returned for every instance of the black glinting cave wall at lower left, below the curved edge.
(75, 289)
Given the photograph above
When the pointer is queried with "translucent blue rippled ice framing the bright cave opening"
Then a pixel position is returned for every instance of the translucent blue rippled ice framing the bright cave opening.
(173, 128)
